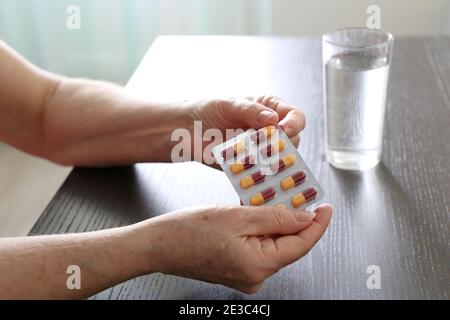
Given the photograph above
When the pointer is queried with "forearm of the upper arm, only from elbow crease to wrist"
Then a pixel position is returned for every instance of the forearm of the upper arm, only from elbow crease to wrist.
(95, 123)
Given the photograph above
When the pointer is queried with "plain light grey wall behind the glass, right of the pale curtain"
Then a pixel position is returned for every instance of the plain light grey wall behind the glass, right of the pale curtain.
(401, 17)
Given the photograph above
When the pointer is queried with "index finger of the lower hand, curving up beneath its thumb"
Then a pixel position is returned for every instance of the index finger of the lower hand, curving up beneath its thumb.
(286, 249)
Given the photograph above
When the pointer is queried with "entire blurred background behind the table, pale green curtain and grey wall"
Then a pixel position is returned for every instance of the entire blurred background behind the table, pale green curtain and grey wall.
(115, 34)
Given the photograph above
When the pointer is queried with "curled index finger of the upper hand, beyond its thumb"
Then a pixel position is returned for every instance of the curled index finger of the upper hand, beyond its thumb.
(292, 120)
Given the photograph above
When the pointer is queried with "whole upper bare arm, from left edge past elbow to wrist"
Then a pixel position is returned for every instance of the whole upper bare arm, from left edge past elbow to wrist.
(80, 122)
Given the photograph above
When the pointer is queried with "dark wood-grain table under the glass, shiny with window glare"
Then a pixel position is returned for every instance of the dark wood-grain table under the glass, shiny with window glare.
(395, 216)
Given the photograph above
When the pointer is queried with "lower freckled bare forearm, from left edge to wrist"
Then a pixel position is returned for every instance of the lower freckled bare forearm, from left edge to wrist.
(35, 267)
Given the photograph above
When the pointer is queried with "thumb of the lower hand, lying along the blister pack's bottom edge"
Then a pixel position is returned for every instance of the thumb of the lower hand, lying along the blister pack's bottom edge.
(263, 221)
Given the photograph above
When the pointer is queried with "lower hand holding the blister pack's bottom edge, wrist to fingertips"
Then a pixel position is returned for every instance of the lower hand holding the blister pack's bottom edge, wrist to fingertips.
(236, 246)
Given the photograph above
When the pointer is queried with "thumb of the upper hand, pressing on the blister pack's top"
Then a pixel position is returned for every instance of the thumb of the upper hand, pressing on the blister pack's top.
(250, 112)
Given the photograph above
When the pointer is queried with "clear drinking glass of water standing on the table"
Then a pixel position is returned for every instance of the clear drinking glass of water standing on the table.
(355, 73)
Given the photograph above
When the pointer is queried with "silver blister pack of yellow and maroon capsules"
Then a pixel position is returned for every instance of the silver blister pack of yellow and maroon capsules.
(265, 168)
